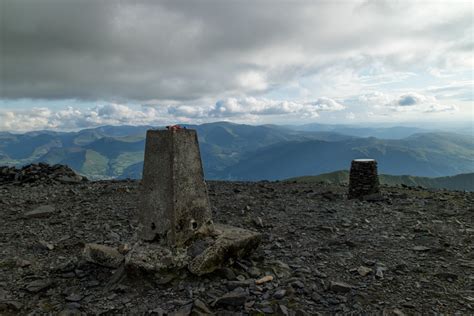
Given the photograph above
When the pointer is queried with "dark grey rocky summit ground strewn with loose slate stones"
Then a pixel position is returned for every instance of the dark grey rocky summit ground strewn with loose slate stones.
(410, 253)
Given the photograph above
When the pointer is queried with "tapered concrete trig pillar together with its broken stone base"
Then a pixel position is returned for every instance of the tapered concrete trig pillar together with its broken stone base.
(176, 227)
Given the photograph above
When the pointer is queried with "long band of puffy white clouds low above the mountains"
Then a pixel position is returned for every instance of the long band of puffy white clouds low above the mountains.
(251, 109)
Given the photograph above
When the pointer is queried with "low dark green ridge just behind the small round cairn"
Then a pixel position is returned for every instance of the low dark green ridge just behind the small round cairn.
(461, 182)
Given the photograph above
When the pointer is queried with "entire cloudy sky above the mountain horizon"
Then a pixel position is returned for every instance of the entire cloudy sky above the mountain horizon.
(75, 64)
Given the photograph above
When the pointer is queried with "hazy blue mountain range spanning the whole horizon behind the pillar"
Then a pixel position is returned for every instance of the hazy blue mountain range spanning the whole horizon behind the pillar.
(244, 152)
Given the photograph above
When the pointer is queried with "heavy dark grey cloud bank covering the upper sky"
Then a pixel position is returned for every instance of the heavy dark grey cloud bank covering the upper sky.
(189, 50)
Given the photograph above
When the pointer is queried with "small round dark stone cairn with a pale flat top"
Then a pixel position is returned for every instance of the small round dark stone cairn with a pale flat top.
(363, 179)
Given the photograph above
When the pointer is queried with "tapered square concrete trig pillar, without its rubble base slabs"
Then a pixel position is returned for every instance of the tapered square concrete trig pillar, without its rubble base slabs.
(174, 201)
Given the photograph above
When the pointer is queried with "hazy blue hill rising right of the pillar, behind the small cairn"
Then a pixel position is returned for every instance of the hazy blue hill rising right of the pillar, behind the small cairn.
(429, 155)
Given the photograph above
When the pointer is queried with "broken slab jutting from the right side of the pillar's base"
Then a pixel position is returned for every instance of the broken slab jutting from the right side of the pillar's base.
(229, 243)
